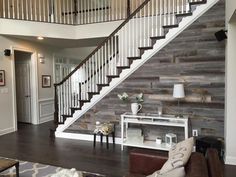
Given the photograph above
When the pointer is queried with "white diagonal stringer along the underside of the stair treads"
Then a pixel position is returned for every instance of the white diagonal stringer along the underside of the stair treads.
(185, 23)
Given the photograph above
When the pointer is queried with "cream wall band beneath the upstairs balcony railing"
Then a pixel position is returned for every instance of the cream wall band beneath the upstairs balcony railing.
(27, 28)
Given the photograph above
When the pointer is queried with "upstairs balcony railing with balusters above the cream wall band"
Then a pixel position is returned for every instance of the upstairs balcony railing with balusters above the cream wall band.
(71, 12)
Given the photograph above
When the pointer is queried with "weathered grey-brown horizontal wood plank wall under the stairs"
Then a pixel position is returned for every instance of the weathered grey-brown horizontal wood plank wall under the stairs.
(195, 58)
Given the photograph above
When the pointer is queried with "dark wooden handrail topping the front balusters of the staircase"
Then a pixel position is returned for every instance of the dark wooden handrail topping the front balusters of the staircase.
(103, 42)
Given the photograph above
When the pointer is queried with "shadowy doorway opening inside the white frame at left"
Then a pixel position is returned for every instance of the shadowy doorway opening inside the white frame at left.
(23, 86)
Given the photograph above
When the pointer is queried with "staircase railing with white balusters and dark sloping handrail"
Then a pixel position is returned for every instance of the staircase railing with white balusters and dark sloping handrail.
(127, 43)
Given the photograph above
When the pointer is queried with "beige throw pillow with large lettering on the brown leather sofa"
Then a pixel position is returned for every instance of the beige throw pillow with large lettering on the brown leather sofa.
(178, 155)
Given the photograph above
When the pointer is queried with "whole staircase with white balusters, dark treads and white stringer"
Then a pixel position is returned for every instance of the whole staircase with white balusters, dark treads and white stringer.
(146, 31)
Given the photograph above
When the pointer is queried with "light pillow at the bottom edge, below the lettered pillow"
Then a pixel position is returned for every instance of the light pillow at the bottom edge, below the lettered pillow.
(177, 172)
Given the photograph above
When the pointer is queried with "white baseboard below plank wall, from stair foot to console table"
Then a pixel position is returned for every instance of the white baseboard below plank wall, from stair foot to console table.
(85, 137)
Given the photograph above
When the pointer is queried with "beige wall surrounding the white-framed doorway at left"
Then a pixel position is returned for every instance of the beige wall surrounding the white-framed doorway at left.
(6, 99)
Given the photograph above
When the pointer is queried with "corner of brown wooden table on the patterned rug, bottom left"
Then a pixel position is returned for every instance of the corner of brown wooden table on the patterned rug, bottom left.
(8, 163)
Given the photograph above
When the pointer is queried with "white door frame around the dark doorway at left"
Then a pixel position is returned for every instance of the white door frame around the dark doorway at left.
(33, 84)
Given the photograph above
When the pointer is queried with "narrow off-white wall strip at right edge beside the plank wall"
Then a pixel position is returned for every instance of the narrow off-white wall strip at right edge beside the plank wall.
(230, 130)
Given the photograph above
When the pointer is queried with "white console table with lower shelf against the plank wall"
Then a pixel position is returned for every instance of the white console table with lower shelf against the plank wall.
(150, 119)
